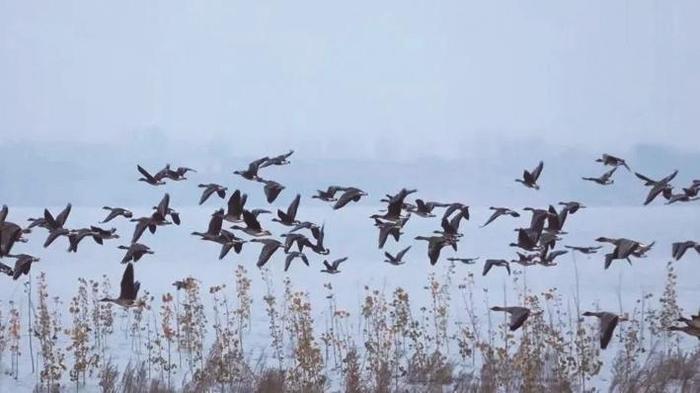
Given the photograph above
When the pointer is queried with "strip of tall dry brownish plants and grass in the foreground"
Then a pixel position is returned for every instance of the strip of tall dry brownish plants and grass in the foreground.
(389, 345)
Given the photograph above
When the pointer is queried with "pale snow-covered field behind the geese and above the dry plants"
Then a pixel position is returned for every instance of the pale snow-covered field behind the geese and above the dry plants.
(350, 233)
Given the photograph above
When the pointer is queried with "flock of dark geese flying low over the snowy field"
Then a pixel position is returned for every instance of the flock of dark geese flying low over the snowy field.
(536, 243)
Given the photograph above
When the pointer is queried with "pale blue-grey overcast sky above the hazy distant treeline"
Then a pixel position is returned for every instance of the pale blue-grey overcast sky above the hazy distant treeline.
(353, 78)
